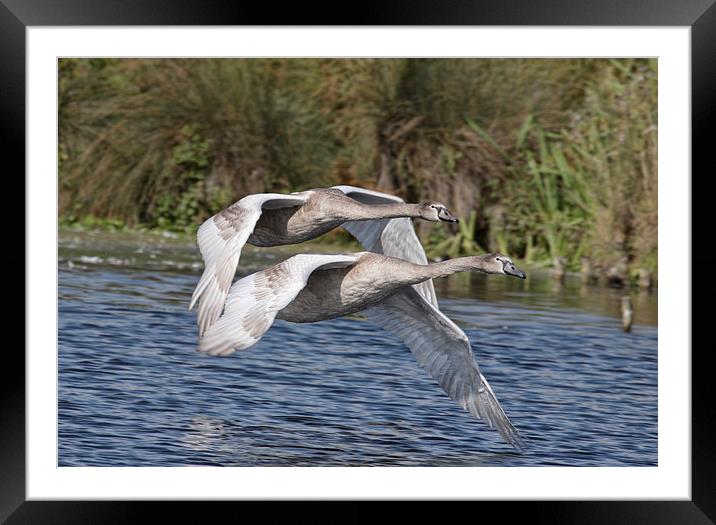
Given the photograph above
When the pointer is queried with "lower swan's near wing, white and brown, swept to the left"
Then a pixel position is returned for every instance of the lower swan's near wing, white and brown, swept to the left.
(254, 301)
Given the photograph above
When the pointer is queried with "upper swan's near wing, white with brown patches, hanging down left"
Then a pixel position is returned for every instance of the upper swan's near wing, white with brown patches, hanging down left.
(221, 239)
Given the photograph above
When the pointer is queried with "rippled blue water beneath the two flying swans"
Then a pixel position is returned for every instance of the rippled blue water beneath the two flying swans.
(134, 392)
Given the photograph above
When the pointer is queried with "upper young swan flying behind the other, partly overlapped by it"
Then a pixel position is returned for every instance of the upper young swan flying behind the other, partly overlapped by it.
(379, 221)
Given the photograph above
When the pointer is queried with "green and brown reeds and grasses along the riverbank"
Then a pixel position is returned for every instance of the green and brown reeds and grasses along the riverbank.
(543, 159)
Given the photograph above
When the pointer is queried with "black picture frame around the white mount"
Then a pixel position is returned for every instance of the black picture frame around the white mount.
(699, 15)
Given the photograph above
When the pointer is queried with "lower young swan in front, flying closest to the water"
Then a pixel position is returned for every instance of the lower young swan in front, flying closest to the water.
(307, 288)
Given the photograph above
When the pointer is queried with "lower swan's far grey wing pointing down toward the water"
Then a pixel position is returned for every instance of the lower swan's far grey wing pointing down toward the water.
(444, 351)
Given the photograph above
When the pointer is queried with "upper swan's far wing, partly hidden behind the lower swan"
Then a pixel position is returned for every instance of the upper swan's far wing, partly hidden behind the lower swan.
(392, 237)
